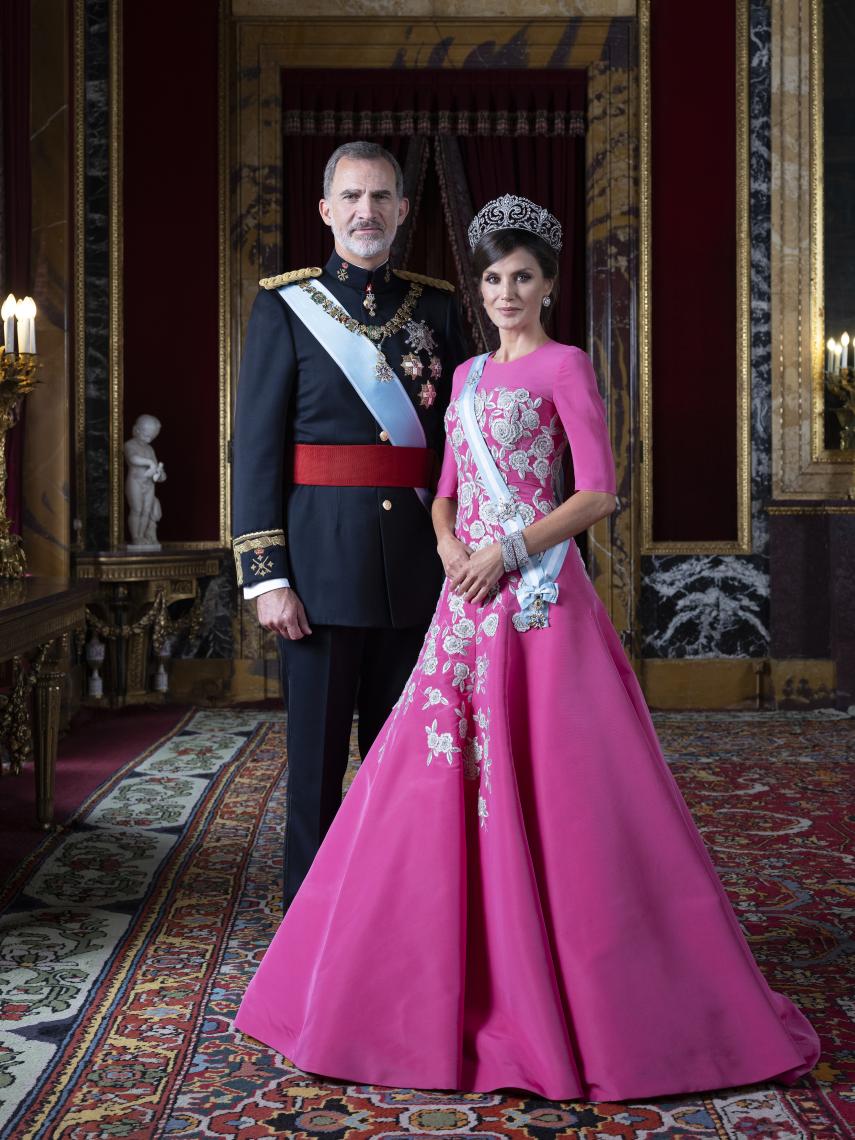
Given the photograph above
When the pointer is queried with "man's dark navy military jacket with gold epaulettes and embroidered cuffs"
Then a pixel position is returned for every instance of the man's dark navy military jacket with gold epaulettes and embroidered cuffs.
(353, 561)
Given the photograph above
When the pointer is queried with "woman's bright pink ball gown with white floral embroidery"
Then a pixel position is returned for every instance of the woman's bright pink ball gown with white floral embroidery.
(514, 893)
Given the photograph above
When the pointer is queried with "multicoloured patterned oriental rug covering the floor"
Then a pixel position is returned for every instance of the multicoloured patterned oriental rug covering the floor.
(129, 937)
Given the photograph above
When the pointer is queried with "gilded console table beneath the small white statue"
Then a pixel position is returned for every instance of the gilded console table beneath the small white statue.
(134, 595)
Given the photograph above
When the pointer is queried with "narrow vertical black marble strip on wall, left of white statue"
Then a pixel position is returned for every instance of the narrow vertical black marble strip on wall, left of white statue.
(95, 508)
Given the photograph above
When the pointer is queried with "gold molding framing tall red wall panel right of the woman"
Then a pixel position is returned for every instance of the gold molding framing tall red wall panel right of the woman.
(743, 545)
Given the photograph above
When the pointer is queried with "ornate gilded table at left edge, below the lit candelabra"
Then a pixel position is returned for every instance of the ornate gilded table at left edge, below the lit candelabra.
(37, 615)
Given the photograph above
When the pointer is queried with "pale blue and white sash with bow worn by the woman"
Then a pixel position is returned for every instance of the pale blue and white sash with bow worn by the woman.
(539, 589)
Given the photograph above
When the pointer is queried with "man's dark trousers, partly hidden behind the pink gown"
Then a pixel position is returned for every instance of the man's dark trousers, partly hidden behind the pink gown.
(324, 677)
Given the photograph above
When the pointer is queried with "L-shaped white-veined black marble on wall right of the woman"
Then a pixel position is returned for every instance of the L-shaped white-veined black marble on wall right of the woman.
(719, 606)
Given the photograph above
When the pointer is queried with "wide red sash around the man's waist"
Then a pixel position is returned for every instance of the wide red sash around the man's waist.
(363, 466)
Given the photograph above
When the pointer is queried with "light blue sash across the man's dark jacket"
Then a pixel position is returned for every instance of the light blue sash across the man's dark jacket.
(357, 359)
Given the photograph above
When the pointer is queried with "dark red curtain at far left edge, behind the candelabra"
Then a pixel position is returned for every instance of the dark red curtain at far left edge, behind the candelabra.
(17, 201)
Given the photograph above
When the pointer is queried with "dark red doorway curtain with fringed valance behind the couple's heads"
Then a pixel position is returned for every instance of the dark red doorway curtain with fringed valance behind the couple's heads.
(501, 132)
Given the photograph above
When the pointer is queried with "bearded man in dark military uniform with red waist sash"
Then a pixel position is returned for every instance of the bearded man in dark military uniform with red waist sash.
(345, 381)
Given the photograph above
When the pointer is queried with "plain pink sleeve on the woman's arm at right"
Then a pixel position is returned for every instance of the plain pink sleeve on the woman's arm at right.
(583, 414)
